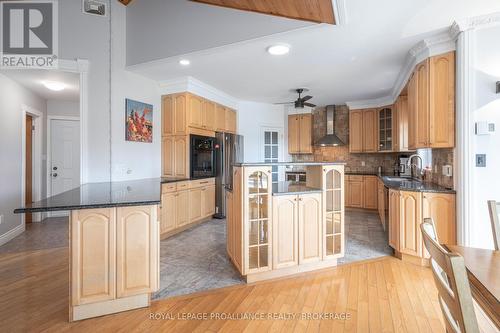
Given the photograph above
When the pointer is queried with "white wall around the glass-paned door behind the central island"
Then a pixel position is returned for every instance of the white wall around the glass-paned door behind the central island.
(252, 119)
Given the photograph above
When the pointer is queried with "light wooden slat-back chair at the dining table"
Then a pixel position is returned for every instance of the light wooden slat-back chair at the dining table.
(450, 276)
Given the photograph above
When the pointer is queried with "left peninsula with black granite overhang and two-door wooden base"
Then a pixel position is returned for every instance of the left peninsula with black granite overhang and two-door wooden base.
(113, 243)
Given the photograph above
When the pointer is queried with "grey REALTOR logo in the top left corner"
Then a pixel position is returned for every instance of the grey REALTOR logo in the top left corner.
(28, 34)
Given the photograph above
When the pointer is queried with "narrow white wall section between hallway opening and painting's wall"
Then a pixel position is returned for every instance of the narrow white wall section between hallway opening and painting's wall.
(87, 37)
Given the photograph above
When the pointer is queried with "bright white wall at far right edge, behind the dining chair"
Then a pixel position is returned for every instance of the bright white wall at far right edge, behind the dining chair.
(486, 180)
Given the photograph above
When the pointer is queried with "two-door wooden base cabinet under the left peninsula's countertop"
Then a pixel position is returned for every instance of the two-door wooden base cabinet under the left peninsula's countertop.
(114, 259)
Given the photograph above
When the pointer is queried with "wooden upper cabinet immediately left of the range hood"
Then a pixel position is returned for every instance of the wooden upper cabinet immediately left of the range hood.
(300, 134)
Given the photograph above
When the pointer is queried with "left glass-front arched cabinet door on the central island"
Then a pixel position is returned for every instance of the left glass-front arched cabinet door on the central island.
(257, 236)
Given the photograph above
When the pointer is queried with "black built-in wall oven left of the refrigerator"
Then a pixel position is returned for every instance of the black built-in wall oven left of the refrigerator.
(202, 156)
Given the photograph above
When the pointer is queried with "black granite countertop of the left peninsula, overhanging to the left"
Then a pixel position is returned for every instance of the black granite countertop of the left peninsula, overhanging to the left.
(101, 195)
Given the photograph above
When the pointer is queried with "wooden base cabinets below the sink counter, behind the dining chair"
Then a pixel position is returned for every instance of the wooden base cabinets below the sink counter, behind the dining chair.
(407, 210)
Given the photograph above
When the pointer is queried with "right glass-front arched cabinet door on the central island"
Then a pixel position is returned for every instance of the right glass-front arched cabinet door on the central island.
(333, 210)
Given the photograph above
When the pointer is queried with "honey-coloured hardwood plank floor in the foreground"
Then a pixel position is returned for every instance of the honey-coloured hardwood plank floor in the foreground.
(380, 295)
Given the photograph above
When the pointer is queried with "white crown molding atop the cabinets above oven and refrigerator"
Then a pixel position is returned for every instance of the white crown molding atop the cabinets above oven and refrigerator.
(197, 87)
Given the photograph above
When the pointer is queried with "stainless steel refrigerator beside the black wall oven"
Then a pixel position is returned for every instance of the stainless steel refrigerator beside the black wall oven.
(229, 150)
